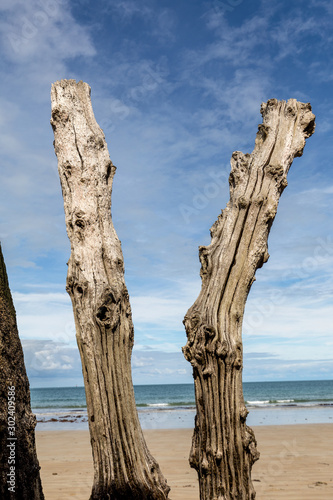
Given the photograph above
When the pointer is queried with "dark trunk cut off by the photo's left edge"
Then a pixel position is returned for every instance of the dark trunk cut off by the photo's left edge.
(19, 467)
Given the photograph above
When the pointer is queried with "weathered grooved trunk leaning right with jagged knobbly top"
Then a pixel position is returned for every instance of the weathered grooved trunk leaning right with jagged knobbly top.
(223, 447)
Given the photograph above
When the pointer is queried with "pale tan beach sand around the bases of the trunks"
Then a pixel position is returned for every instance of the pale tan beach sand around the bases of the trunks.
(296, 462)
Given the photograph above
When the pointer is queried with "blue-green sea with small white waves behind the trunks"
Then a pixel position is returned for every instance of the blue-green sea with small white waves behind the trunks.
(173, 406)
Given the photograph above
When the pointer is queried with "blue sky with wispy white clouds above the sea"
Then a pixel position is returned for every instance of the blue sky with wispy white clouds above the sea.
(177, 87)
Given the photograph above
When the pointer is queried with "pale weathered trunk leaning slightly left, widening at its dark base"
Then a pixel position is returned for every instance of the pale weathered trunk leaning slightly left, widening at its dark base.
(123, 466)
